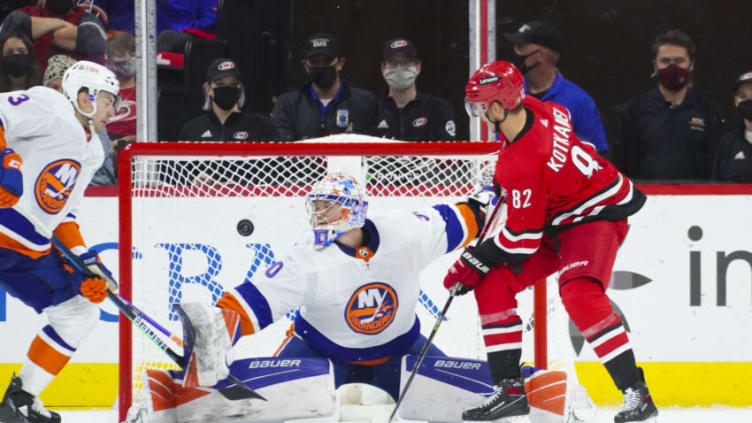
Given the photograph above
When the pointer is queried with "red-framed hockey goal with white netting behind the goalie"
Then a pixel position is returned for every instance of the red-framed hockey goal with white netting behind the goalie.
(163, 197)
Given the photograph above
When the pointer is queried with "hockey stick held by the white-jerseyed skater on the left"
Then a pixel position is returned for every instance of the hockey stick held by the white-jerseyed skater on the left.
(140, 319)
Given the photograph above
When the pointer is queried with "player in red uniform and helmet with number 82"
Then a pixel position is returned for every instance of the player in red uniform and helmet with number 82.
(566, 211)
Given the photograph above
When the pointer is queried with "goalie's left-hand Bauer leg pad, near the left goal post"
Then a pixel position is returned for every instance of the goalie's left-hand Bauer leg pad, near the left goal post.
(293, 387)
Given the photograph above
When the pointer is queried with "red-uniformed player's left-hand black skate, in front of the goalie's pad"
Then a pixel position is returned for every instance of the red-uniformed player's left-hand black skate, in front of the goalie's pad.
(509, 400)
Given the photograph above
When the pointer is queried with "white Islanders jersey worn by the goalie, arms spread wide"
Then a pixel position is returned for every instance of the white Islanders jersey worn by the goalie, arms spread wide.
(358, 305)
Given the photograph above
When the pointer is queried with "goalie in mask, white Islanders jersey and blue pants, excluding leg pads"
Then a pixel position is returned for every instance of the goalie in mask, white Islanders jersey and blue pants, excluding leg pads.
(356, 285)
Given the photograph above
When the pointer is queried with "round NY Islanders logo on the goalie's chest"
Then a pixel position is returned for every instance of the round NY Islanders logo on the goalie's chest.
(371, 308)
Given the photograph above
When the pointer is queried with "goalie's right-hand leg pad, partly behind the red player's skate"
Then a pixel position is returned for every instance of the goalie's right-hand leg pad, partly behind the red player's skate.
(446, 386)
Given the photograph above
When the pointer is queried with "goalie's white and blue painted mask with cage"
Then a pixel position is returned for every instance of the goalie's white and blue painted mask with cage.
(334, 206)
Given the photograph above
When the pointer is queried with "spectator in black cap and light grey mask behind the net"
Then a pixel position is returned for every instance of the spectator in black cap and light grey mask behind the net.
(406, 114)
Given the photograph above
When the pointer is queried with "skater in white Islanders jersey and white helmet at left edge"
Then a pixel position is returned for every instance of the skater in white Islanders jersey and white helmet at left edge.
(49, 154)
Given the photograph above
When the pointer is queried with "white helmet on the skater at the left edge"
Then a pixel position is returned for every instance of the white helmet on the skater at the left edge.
(95, 78)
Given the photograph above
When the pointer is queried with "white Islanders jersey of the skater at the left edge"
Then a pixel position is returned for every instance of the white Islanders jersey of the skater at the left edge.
(58, 164)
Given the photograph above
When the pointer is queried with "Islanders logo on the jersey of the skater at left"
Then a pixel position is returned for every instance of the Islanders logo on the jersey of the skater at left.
(55, 184)
